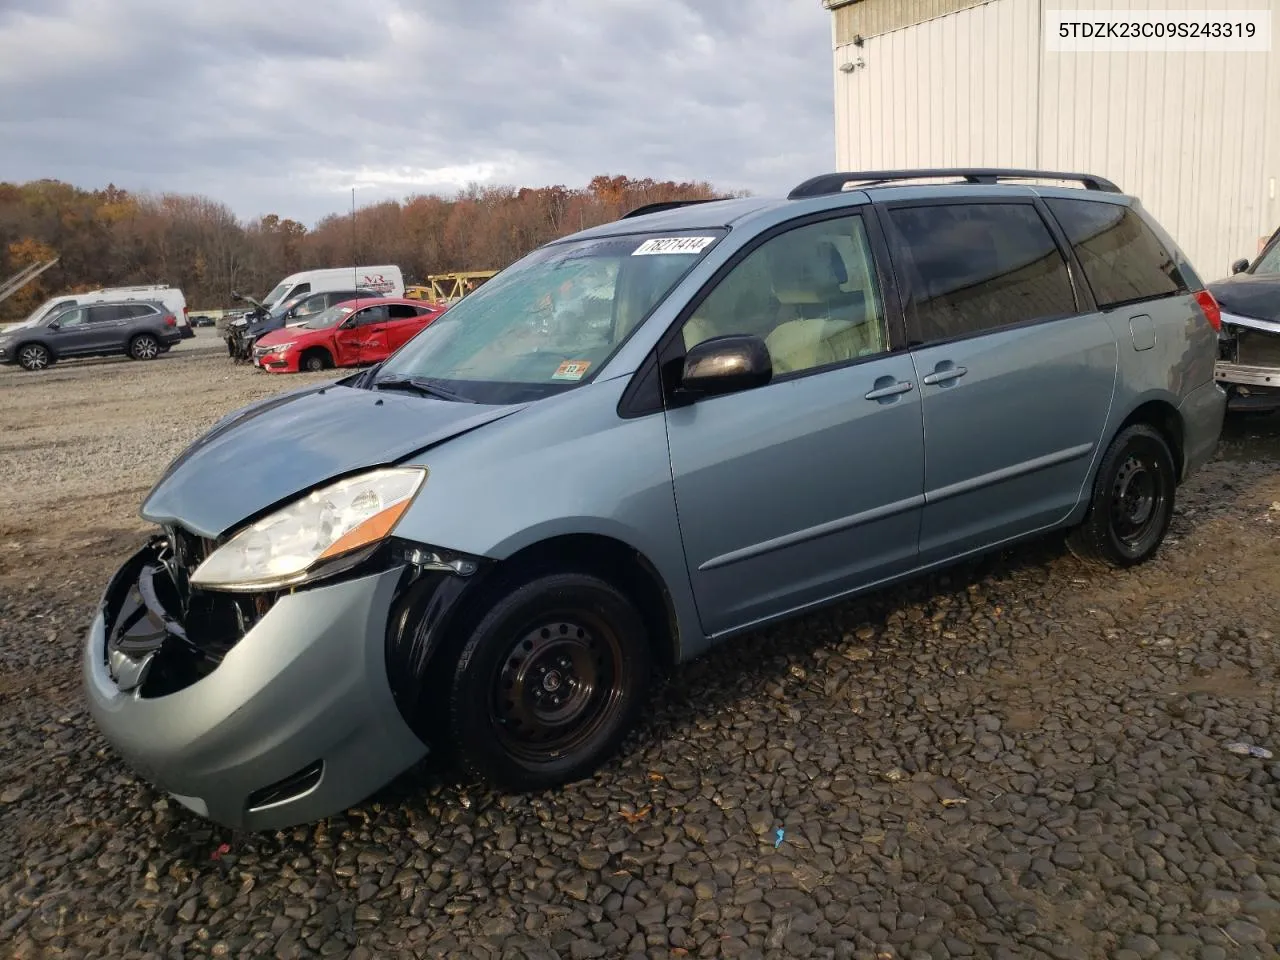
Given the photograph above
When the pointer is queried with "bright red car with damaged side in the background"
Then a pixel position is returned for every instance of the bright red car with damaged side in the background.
(349, 335)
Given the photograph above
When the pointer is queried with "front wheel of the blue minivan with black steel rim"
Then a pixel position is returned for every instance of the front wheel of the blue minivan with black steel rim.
(548, 683)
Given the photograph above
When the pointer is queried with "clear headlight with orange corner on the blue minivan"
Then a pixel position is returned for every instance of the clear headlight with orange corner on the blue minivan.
(284, 548)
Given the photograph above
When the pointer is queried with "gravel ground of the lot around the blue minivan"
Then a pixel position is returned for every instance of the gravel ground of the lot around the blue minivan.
(1021, 758)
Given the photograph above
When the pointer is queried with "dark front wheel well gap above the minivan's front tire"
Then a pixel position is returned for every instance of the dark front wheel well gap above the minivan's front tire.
(623, 566)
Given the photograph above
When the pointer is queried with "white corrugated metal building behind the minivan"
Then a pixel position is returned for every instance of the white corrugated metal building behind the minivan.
(1196, 136)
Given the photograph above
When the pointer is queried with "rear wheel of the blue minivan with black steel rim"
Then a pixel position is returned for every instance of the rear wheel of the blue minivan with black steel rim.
(1133, 501)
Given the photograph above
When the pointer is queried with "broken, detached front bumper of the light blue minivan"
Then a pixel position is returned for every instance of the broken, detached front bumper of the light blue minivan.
(257, 712)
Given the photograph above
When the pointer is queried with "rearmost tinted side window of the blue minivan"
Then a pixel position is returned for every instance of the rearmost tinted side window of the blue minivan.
(1123, 260)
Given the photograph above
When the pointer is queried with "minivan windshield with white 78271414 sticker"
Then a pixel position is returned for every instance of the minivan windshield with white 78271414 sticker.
(552, 321)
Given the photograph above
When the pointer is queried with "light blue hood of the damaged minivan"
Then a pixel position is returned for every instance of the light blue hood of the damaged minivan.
(280, 449)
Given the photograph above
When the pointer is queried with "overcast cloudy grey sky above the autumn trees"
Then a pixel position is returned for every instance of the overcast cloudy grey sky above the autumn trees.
(284, 106)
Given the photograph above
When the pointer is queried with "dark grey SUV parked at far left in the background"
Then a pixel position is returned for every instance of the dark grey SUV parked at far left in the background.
(141, 330)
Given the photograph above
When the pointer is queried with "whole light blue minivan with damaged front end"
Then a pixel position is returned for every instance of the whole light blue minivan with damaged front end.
(636, 444)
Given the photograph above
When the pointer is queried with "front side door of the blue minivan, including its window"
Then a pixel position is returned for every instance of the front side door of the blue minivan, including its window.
(811, 487)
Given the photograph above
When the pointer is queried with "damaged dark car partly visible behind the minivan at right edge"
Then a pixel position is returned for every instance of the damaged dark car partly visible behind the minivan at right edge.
(1250, 355)
